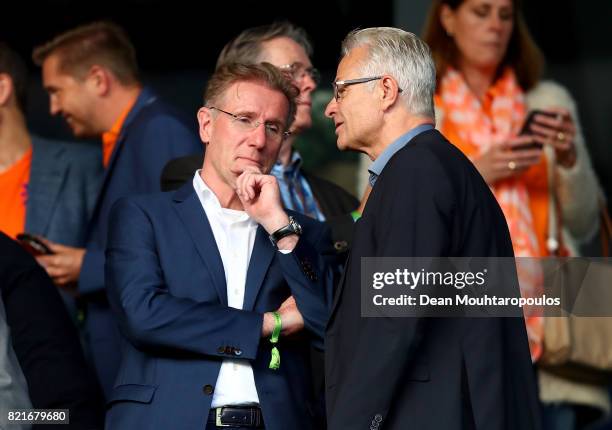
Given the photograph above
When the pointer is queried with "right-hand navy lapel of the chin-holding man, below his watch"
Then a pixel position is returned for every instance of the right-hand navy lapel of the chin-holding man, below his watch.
(261, 258)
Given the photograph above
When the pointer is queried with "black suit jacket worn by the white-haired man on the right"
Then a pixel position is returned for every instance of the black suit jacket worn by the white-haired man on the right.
(427, 373)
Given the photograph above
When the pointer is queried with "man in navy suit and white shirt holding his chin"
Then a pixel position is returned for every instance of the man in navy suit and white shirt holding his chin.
(200, 278)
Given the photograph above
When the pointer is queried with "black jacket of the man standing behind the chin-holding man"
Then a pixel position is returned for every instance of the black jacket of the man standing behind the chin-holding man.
(335, 203)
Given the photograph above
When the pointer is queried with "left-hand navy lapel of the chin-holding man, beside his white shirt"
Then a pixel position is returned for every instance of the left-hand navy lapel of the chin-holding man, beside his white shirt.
(193, 216)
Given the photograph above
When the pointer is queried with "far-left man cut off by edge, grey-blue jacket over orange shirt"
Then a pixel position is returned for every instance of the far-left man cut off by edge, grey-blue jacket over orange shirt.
(47, 187)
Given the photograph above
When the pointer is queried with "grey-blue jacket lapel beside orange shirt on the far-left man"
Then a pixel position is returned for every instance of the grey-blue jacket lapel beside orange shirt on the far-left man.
(48, 172)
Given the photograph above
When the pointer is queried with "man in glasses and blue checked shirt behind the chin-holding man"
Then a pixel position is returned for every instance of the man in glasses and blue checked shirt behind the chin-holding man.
(288, 47)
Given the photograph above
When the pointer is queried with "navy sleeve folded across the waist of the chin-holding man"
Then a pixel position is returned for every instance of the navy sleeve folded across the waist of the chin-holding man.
(149, 315)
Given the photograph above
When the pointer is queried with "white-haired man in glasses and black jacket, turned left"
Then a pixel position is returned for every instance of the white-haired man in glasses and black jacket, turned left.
(427, 200)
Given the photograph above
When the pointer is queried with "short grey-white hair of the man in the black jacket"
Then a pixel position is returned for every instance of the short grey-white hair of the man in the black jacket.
(403, 56)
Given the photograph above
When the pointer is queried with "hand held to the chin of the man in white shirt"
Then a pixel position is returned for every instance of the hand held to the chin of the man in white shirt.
(260, 197)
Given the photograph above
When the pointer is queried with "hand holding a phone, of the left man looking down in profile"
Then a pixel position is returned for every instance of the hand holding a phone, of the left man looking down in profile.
(64, 265)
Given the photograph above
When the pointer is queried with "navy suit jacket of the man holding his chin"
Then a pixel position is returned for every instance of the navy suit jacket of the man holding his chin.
(167, 285)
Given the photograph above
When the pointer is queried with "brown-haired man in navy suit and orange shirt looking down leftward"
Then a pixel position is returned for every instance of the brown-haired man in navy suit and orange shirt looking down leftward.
(92, 79)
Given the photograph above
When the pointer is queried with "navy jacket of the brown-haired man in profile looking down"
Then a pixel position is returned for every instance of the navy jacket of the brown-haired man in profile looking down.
(153, 134)
